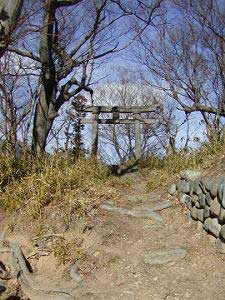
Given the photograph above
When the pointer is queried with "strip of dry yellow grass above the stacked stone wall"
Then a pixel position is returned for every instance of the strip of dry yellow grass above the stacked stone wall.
(166, 170)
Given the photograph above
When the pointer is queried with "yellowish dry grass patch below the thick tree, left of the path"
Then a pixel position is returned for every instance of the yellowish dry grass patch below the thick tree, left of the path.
(33, 184)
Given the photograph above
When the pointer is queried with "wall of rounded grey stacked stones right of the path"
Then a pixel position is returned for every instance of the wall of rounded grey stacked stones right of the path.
(205, 198)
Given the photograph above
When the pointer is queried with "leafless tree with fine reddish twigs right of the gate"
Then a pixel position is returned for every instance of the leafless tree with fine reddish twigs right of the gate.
(186, 60)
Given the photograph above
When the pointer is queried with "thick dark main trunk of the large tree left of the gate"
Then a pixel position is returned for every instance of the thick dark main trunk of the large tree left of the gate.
(42, 119)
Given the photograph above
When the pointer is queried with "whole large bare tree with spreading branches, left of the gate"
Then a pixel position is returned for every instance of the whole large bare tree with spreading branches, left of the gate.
(73, 35)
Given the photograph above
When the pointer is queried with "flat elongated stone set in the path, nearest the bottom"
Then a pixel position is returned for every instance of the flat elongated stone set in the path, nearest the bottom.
(158, 258)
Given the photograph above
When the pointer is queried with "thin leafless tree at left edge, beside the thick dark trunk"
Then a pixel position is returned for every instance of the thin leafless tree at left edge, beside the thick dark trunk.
(16, 101)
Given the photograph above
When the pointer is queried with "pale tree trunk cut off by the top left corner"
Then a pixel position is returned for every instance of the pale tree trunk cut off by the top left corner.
(9, 13)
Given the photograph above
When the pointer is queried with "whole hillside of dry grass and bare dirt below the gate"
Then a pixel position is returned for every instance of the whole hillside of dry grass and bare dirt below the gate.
(74, 224)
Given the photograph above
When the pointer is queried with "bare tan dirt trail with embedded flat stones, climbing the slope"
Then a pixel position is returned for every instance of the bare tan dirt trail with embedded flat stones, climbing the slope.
(143, 246)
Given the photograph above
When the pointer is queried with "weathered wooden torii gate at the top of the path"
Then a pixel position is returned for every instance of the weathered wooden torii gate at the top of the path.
(136, 119)
